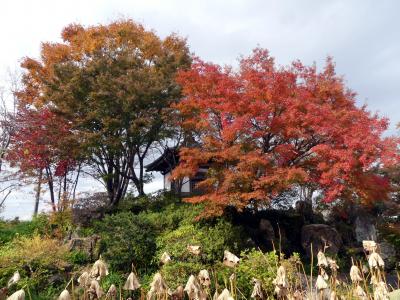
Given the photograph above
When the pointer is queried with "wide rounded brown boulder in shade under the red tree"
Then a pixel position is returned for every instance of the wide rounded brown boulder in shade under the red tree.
(320, 235)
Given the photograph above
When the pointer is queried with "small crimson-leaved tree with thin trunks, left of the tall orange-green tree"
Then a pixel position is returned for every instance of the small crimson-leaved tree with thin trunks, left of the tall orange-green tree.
(42, 147)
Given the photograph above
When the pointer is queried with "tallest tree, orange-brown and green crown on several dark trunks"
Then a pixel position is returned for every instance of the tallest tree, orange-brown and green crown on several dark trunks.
(114, 83)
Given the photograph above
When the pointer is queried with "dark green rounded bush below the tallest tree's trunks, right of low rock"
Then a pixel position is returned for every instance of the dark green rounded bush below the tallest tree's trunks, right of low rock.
(126, 238)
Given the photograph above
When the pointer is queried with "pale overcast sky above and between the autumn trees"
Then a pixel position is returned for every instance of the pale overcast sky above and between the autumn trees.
(362, 36)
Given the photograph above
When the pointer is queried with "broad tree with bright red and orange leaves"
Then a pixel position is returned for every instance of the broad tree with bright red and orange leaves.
(264, 130)
